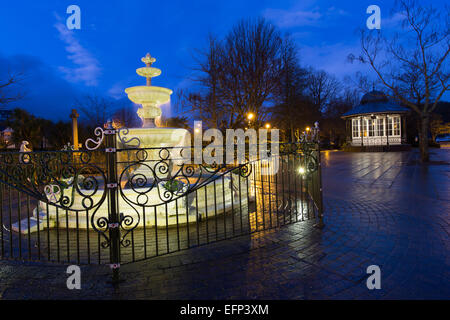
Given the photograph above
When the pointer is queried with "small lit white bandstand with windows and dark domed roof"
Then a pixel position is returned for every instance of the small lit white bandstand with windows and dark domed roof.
(376, 121)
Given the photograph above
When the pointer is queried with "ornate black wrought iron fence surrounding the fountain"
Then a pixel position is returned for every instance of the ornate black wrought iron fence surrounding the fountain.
(116, 206)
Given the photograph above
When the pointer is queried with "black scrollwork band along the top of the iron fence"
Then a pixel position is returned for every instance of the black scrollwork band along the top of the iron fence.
(147, 177)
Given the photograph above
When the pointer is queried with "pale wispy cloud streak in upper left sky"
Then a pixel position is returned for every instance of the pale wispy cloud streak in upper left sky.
(87, 69)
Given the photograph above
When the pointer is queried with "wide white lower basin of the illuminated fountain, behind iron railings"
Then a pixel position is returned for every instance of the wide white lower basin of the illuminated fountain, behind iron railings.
(201, 204)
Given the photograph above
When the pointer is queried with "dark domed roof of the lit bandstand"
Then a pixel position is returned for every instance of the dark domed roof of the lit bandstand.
(375, 102)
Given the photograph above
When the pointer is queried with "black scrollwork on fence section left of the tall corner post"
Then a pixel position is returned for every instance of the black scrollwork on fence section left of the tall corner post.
(66, 179)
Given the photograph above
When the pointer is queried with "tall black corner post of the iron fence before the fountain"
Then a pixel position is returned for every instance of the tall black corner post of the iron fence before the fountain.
(112, 186)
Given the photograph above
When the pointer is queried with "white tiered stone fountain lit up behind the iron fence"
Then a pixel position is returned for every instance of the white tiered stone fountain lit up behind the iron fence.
(151, 174)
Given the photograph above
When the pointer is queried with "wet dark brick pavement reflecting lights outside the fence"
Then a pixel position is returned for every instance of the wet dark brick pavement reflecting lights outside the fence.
(381, 208)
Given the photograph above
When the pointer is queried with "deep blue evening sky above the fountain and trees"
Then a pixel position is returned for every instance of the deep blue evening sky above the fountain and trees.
(101, 58)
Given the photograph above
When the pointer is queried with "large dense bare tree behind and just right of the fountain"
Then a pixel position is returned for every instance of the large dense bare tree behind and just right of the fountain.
(239, 74)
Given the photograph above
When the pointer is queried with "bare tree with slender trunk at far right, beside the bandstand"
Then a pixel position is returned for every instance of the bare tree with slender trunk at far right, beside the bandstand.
(413, 63)
